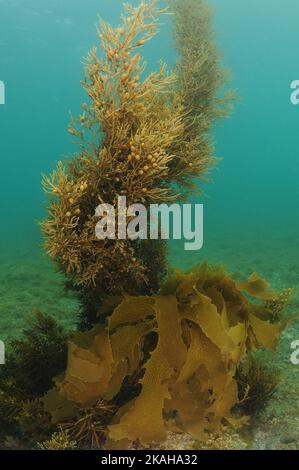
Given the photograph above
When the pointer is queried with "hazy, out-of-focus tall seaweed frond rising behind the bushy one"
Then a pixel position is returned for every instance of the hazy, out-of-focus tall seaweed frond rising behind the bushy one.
(200, 79)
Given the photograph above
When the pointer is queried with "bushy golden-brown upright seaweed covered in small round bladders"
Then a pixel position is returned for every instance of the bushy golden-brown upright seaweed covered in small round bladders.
(137, 138)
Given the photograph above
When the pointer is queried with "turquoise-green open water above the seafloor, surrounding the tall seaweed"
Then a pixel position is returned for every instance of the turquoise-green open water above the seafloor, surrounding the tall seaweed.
(255, 189)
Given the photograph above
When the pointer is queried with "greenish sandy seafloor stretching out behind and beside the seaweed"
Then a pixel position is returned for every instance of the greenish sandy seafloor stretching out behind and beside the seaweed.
(29, 282)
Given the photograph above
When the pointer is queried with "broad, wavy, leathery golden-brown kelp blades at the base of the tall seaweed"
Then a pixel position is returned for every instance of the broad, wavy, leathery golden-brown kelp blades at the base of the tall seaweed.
(187, 379)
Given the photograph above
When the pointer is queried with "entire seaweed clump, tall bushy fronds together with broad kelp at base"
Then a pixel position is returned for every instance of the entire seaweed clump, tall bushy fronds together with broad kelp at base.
(156, 356)
